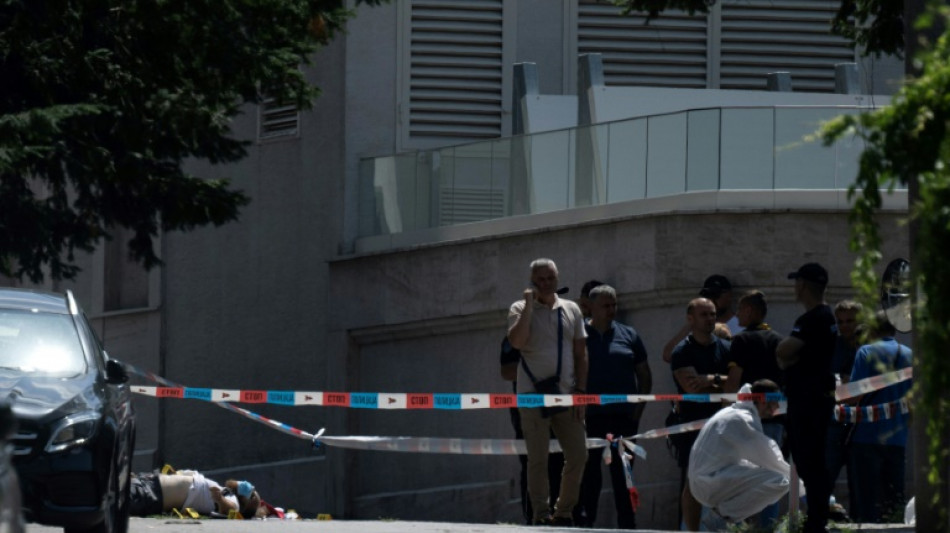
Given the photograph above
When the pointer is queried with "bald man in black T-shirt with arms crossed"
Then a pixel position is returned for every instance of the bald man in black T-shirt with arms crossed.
(699, 367)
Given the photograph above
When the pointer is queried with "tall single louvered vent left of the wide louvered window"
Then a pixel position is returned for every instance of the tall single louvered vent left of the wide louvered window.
(455, 69)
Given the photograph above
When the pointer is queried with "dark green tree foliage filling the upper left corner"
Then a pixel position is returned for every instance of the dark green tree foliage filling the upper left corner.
(102, 100)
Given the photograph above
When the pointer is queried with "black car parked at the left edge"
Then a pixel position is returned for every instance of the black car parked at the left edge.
(73, 448)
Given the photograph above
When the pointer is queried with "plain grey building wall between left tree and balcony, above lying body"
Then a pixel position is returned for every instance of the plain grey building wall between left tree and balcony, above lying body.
(246, 303)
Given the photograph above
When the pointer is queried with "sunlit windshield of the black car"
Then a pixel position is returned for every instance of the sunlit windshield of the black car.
(40, 343)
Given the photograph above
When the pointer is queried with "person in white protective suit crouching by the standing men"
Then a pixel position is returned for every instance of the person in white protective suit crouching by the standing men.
(734, 468)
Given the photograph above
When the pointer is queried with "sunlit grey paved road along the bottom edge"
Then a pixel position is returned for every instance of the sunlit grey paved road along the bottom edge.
(153, 525)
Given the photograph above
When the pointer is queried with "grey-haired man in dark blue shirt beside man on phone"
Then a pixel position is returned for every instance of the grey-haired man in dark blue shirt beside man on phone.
(617, 364)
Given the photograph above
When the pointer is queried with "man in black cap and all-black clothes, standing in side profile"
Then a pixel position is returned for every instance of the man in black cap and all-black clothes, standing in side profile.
(806, 355)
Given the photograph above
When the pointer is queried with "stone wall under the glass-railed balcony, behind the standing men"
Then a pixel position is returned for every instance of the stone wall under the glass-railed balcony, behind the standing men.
(431, 319)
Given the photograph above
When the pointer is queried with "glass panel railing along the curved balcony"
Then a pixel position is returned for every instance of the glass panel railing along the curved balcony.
(698, 150)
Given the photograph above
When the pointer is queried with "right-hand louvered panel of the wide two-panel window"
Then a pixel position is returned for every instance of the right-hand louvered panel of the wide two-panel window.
(762, 36)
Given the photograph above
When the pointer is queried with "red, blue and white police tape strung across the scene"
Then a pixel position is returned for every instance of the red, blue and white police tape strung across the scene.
(225, 398)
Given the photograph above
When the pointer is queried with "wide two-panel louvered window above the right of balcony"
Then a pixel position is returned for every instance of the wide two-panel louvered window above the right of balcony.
(733, 47)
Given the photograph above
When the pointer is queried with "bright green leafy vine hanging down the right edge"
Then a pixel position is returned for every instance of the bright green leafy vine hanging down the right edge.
(907, 143)
